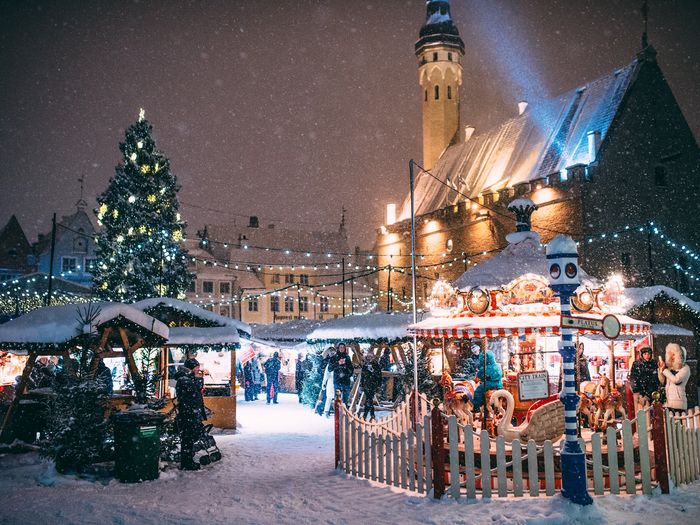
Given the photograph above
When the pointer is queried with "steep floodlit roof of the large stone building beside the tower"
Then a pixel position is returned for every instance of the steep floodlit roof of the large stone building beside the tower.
(549, 136)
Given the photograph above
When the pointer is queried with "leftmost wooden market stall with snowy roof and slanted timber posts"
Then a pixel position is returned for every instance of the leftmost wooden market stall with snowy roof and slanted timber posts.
(90, 332)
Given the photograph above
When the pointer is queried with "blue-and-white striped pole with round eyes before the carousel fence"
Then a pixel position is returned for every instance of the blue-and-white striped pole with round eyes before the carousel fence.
(562, 258)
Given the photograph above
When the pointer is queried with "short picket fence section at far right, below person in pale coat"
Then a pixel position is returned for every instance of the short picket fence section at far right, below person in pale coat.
(683, 438)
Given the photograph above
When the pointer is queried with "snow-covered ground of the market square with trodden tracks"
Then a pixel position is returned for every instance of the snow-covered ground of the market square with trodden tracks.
(279, 469)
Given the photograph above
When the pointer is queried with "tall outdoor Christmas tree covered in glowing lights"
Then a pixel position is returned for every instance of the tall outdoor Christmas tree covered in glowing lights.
(139, 247)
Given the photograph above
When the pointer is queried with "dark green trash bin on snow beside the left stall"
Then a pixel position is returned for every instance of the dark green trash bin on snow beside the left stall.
(137, 445)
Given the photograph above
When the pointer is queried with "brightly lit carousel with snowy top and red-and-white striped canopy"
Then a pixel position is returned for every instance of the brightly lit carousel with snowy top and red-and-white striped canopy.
(506, 306)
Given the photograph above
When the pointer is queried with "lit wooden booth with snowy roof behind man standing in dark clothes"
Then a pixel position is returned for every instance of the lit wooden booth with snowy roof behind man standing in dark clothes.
(213, 340)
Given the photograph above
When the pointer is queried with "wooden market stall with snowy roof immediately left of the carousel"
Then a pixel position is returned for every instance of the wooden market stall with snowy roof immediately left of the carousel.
(372, 333)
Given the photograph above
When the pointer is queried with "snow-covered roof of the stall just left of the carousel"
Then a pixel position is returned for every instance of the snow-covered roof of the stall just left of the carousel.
(369, 327)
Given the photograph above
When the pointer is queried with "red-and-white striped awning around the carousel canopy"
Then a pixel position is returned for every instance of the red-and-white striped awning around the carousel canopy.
(508, 326)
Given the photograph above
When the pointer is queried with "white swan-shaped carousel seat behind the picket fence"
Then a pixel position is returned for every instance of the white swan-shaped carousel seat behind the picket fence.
(545, 419)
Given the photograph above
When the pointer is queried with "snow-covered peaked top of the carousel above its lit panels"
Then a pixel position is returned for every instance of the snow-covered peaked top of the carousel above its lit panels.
(523, 255)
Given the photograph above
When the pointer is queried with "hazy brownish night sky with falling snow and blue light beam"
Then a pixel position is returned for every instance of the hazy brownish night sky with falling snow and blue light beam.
(285, 109)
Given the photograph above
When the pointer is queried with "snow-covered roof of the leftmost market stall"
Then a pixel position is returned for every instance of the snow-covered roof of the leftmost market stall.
(56, 326)
